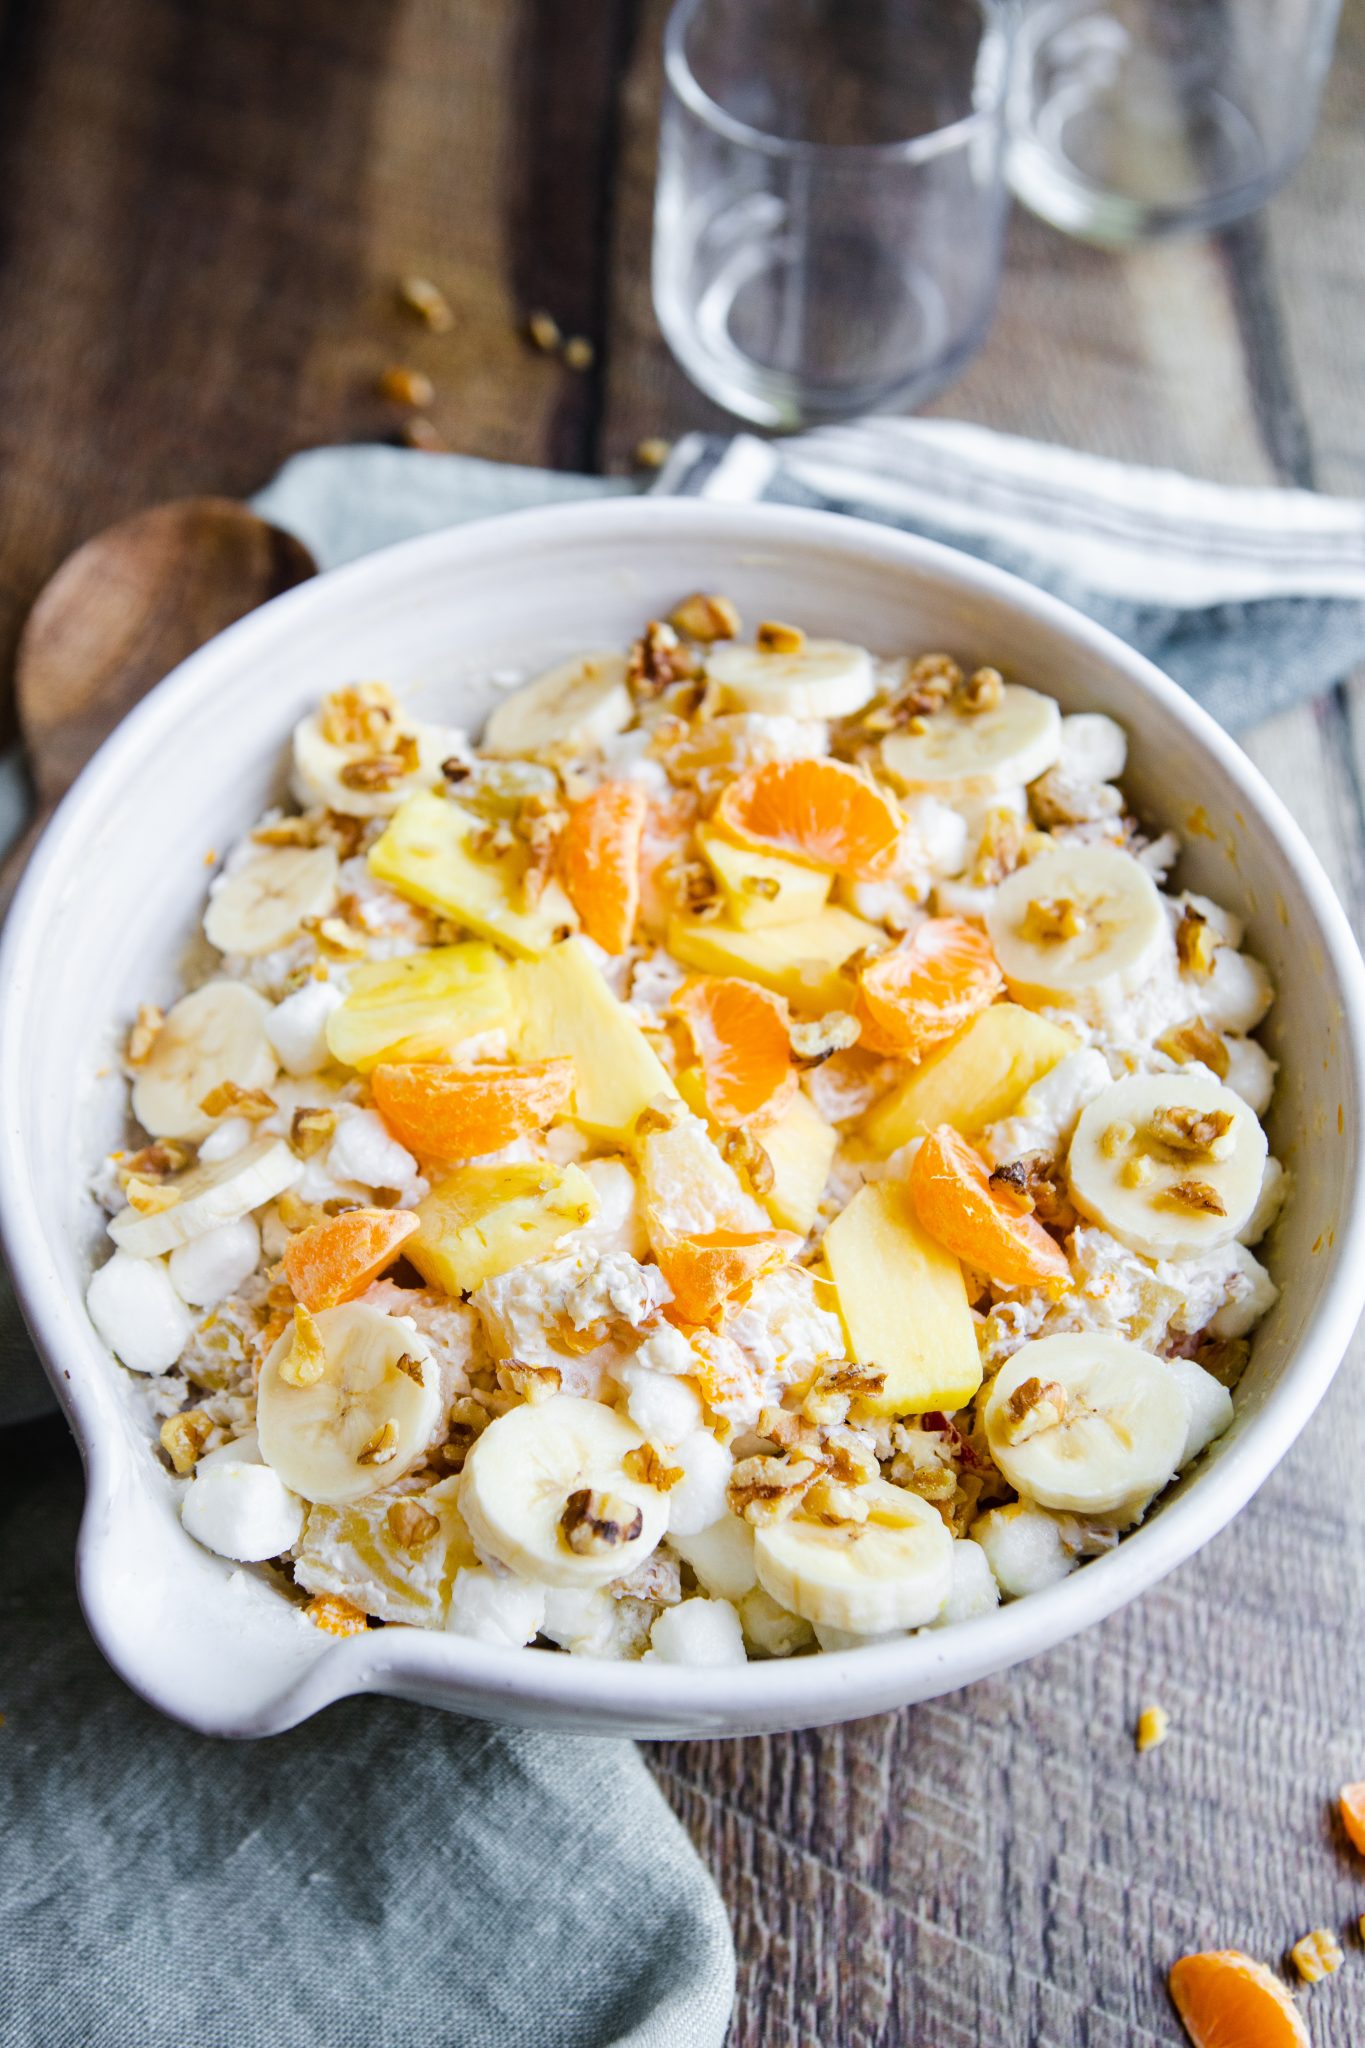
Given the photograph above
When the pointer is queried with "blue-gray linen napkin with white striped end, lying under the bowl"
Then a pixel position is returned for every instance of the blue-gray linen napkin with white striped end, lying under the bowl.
(388, 1877)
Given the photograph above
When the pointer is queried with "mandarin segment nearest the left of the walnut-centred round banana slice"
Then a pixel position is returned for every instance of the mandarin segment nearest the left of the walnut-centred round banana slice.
(926, 988)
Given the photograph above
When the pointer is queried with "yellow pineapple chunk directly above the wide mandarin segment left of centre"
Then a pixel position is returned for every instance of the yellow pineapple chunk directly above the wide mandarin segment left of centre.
(423, 1007)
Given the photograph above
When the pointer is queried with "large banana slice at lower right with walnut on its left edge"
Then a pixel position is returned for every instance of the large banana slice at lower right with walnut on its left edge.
(1088, 1424)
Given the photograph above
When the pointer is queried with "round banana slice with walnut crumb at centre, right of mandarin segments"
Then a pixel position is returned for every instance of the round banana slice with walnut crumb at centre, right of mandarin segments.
(1082, 927)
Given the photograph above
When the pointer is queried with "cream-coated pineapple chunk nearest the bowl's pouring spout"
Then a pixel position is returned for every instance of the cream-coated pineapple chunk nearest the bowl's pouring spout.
(373, 1562)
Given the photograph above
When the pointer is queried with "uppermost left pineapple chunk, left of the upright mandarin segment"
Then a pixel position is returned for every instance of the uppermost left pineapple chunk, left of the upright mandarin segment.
(425, 855)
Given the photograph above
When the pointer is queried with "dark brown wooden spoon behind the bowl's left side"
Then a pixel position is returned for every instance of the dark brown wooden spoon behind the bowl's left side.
(120, 615)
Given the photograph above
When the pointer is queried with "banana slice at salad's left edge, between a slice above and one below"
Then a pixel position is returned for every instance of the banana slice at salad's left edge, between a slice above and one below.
(214, 1035)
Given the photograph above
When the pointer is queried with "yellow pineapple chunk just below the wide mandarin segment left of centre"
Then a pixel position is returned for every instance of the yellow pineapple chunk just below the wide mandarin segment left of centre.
(486, 1220)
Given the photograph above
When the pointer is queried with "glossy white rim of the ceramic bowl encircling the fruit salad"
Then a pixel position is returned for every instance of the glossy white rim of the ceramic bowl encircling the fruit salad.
(785, 1693)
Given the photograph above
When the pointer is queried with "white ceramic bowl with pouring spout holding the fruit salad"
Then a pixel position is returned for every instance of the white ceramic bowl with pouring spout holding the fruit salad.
(118, 888)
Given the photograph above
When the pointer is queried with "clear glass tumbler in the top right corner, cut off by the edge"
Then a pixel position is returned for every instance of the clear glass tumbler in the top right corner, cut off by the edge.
(1145, 118)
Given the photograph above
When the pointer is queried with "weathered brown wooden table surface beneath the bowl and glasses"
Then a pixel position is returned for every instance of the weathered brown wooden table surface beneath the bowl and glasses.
(204, 212)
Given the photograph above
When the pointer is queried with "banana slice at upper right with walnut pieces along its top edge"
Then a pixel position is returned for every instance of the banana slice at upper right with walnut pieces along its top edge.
(977, 753)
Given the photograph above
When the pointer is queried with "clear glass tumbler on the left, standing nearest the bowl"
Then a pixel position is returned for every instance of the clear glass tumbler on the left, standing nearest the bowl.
(832, 200)
